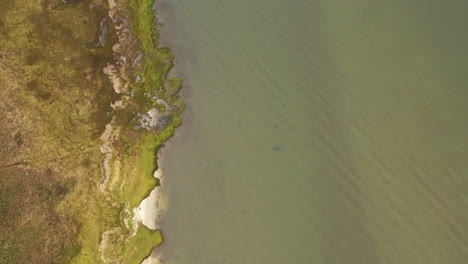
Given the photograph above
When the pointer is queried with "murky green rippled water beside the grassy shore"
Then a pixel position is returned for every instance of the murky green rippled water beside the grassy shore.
(318, 131)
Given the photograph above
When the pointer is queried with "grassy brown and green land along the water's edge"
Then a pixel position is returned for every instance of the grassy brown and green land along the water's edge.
(84, 106)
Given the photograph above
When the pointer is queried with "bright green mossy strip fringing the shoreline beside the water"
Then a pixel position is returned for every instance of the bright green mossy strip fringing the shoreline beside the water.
(137, 155)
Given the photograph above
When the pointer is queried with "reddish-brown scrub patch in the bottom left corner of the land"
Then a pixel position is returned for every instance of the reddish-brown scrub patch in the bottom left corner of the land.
(29, 224)
